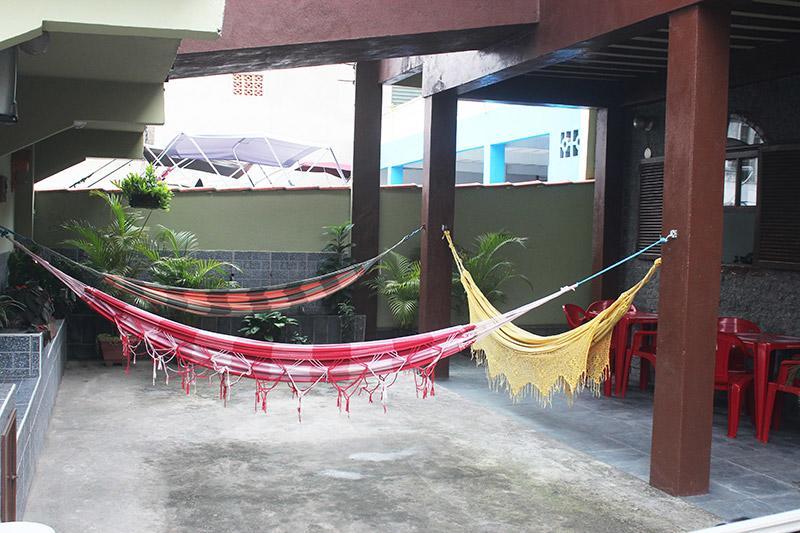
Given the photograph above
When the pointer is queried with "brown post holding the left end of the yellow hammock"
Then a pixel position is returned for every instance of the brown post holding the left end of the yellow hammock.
(438, 203)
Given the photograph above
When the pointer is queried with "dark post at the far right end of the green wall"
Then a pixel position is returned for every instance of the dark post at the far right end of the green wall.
(608, 196)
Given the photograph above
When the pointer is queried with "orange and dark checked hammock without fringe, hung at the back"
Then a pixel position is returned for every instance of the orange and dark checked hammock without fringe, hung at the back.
(244, 301)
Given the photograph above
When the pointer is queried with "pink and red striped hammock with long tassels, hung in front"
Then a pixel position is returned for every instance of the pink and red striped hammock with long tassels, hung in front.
(362, 367)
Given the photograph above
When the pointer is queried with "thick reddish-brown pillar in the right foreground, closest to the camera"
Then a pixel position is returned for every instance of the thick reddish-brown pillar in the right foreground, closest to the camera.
(697, 113)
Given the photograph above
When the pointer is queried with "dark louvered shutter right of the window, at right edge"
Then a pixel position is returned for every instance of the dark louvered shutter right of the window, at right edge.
(778, 236)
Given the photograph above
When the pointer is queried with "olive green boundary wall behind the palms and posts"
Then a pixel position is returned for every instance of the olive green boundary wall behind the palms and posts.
(555, 218)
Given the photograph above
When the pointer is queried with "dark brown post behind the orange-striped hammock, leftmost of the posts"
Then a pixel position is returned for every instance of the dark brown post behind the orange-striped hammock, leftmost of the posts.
(366, 182)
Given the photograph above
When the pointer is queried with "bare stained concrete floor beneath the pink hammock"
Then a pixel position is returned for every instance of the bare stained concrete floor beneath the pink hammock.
(124, 455)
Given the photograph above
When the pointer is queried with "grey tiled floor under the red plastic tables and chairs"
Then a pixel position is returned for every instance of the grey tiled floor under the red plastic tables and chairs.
(747, 478)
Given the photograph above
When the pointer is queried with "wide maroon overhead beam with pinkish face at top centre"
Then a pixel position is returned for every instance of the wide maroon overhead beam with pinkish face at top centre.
(261, 34)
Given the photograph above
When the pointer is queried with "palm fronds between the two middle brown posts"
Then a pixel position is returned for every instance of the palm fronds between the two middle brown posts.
(398, 281)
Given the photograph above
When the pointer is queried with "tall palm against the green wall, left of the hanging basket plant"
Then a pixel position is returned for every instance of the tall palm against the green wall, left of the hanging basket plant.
(114, 248)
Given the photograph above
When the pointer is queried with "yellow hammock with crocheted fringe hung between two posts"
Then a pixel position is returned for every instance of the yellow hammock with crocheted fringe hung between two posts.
(528, 364)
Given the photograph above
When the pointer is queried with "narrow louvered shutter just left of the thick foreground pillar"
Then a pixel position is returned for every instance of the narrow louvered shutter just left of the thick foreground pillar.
(651, 204)
